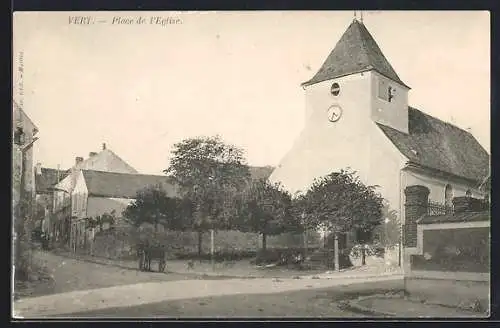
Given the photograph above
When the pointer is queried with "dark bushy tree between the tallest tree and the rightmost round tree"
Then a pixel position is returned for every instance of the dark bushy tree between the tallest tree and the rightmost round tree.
(265, 208)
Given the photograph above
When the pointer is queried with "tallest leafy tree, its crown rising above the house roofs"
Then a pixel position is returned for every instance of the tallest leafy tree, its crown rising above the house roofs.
(208, 172)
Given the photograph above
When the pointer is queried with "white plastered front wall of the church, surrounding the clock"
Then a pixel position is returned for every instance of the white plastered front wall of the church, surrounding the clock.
(354, 141)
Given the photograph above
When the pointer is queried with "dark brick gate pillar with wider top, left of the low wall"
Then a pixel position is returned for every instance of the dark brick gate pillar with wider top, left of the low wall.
(417, 200)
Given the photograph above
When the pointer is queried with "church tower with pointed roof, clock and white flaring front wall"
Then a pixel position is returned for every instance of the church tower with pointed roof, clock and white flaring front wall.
(355, 89)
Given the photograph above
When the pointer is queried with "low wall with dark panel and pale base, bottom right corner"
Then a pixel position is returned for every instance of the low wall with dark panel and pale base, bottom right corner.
(453, 266)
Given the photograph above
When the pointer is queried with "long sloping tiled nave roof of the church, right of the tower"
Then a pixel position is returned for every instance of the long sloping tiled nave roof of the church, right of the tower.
(438, 145)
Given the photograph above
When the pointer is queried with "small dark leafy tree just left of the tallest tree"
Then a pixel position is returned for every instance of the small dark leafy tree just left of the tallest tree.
(152, 205)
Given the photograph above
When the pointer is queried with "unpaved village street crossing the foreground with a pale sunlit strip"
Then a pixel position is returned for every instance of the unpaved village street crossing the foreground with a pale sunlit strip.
(87, 289)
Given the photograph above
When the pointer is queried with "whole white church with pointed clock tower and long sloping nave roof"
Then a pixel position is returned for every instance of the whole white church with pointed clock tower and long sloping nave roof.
(358, 117)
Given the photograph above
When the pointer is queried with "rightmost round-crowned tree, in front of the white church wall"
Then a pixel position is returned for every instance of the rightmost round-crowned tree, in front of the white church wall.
(340, 202)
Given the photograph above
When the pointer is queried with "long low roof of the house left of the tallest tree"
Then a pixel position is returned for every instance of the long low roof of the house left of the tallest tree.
(124, 185)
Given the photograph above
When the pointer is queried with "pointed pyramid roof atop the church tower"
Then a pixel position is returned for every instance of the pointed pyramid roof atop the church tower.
(355, 52)
